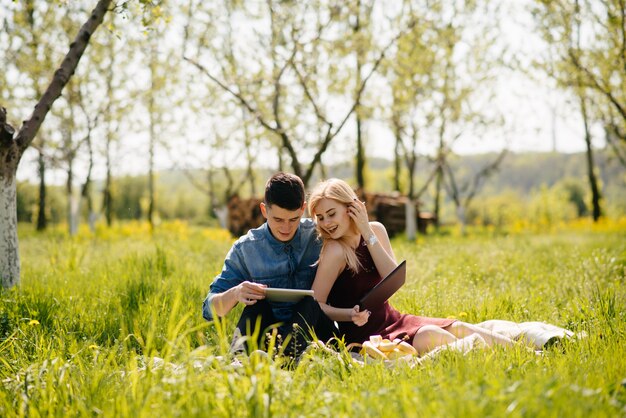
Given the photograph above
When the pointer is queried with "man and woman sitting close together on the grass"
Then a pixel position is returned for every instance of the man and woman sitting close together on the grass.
(352, 256)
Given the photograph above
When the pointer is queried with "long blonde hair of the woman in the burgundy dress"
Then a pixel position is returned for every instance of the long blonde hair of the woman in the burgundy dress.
(341, 192)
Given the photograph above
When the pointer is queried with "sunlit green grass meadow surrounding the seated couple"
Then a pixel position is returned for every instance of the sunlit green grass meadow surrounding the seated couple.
(110, 324)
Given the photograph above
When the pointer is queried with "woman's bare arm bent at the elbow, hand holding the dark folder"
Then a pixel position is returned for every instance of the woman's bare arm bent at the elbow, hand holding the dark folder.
(332, 263)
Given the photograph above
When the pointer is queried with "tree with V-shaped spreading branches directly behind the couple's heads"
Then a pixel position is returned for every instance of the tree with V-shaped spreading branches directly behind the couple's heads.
(281, 70)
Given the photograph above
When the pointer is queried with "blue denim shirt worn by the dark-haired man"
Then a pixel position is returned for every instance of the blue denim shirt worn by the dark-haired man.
(259, 257)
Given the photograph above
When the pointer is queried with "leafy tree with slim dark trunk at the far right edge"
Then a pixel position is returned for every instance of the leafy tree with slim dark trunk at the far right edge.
(587, 55)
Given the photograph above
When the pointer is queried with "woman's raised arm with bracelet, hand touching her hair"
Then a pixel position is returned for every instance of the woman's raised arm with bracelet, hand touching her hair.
(380, 246)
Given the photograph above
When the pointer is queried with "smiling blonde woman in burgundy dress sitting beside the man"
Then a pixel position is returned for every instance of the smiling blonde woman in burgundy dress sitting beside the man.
(355, 255)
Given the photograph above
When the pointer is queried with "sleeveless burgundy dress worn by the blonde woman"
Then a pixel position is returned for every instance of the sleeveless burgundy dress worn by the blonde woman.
(385, 320)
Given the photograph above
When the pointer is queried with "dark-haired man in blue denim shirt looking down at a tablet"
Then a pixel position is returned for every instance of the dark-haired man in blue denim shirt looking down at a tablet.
(281, 253)
